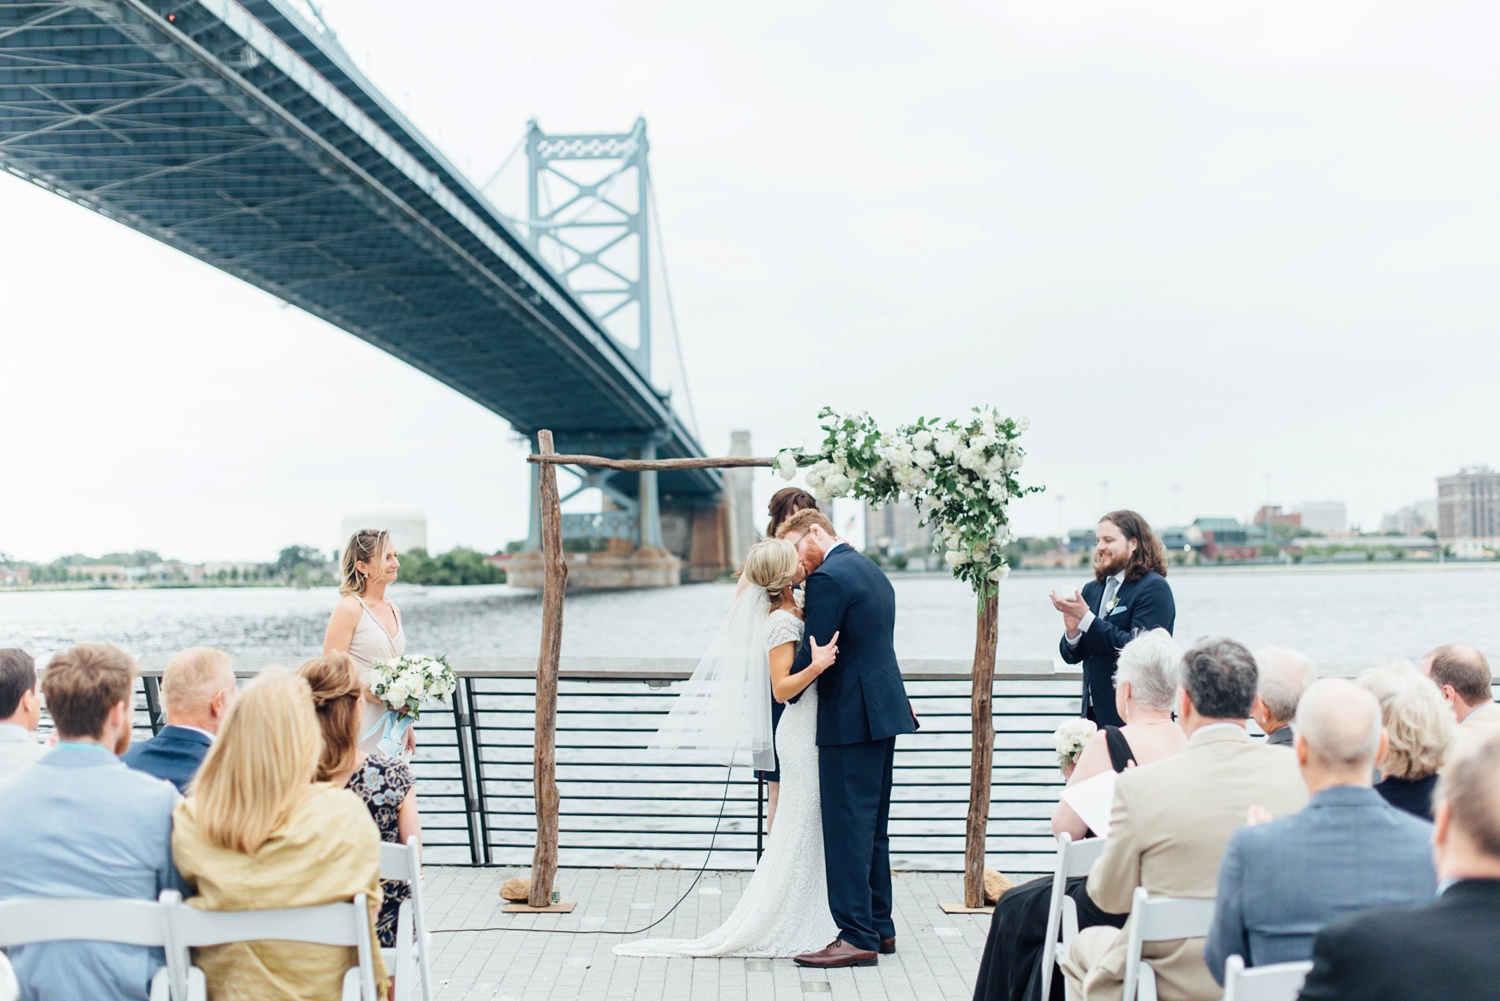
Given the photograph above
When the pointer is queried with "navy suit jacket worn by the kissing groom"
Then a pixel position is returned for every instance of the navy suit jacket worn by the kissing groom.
(862, 697)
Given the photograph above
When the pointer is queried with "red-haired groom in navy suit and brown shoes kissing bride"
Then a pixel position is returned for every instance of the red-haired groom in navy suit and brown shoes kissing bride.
(862, 708)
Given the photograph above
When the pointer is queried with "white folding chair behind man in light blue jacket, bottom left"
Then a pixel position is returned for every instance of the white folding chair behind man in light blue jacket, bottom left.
(37, 921)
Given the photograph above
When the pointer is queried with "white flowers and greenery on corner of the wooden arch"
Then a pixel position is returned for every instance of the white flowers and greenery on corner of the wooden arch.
(962, 478)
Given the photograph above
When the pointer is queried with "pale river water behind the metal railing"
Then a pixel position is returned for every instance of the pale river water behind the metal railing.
(1357, 616)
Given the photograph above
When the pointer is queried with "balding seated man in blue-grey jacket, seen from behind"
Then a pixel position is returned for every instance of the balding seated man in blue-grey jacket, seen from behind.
(1346, 852)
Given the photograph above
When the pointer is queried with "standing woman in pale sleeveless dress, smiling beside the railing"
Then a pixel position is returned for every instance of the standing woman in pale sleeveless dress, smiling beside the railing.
(365, 624)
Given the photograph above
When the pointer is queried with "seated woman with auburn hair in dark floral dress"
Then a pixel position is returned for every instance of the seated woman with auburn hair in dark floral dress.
(382, 783)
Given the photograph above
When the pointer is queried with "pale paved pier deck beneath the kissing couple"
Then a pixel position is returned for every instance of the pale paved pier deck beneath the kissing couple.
(937, 954)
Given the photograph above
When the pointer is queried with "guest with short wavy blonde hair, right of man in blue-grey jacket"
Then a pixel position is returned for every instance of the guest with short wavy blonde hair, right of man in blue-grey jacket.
(1420, 735)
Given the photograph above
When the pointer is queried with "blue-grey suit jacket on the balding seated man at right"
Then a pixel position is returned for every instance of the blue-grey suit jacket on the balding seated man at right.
(1280, 883)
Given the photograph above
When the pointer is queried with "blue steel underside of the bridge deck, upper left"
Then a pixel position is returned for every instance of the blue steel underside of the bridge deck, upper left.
(254, 146)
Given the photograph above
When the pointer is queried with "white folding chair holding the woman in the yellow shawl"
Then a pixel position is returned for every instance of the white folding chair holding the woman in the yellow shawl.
(328, 925)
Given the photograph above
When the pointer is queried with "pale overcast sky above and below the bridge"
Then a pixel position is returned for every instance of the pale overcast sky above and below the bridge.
(1195, 244)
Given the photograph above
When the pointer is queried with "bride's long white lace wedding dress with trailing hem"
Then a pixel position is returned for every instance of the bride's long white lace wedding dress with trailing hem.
(785, 907)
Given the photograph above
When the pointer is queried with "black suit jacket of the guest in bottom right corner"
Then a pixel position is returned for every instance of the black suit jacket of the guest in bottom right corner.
(1445, 951)
